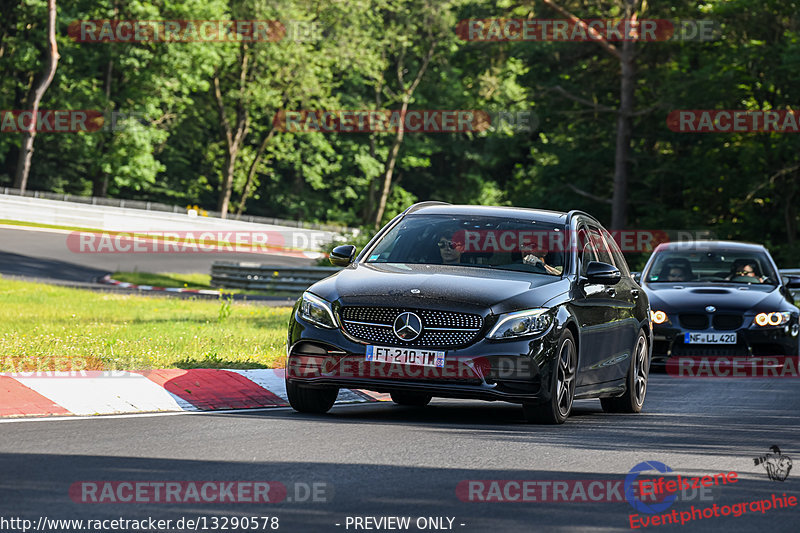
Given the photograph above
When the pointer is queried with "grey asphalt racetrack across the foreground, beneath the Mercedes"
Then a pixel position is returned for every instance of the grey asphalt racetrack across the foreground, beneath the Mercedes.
(380, 460)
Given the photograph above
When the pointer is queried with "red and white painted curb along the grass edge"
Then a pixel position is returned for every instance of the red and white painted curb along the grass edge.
(117, 392)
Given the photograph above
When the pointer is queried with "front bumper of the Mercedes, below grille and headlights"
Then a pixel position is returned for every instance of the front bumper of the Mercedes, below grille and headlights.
(512, 371)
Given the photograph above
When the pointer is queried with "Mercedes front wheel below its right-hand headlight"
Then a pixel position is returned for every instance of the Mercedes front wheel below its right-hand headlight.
(562, 386)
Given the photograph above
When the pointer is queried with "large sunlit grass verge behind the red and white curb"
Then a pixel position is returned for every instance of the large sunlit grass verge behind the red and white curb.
(50, 328)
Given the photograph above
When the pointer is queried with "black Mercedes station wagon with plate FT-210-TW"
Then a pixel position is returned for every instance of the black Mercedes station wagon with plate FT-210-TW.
(494, 303)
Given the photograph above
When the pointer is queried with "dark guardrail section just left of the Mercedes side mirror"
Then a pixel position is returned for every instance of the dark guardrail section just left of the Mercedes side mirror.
(255, 276)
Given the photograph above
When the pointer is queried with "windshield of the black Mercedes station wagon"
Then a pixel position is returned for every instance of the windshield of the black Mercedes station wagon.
(474, 241)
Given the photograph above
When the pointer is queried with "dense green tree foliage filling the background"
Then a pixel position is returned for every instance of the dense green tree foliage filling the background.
(190, 98)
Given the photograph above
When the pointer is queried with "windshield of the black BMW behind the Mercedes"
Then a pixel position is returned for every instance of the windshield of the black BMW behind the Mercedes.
(711, 266)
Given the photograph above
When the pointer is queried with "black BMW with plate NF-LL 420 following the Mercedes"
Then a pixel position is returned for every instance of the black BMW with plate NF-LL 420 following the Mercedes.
(719, 298)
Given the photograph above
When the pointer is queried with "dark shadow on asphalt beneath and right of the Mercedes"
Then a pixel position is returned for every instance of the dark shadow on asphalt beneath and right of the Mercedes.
(680, 415)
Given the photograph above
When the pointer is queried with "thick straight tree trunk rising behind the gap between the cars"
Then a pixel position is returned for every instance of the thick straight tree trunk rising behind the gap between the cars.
(619, 200)
